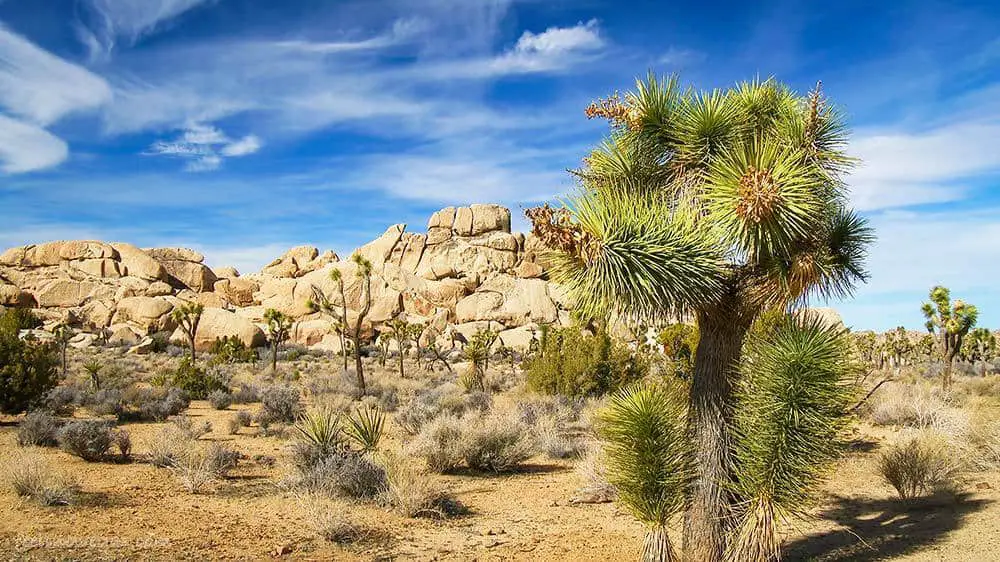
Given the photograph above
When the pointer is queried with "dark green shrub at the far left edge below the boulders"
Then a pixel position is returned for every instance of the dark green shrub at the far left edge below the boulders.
(28, 369)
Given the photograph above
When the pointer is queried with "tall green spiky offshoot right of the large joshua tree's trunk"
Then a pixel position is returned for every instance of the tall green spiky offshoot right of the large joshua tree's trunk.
(793, 394)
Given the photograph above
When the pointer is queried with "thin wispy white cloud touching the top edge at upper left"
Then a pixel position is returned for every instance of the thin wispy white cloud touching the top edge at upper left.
(128, 20)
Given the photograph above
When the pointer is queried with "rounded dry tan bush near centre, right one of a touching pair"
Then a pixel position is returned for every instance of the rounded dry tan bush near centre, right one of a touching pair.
(498, 442)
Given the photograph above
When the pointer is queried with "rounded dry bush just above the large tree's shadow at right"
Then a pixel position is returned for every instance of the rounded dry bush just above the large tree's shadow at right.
(922, 464)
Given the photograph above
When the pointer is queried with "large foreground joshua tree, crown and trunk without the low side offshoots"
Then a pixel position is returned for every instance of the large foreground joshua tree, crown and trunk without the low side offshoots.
(720, 205)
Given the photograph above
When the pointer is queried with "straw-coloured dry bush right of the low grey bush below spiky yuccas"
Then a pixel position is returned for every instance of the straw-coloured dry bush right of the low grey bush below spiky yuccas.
(412, 492)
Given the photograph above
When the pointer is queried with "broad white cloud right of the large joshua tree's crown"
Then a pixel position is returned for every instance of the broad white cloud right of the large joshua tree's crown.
(901, 169)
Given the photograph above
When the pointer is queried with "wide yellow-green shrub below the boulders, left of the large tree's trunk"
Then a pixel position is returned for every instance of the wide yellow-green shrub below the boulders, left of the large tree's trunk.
(572, 363)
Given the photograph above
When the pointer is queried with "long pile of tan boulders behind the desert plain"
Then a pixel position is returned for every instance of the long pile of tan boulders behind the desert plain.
(467, 272)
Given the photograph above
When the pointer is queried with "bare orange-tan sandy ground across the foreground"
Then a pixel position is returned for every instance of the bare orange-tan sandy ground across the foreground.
(139, 512)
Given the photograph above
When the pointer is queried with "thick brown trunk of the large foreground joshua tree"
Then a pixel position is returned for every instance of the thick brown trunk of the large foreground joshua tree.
(721, 331)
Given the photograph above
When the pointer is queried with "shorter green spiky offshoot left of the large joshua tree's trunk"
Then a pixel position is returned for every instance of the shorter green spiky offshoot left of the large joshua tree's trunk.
(648, 458)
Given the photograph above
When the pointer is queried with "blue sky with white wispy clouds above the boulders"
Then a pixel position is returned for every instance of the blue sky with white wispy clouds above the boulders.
(244, 127)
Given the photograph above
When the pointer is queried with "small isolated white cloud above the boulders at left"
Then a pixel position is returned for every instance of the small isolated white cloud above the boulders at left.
(204, 146)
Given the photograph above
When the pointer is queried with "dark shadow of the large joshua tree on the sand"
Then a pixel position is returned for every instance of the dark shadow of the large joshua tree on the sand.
(880, 529)
